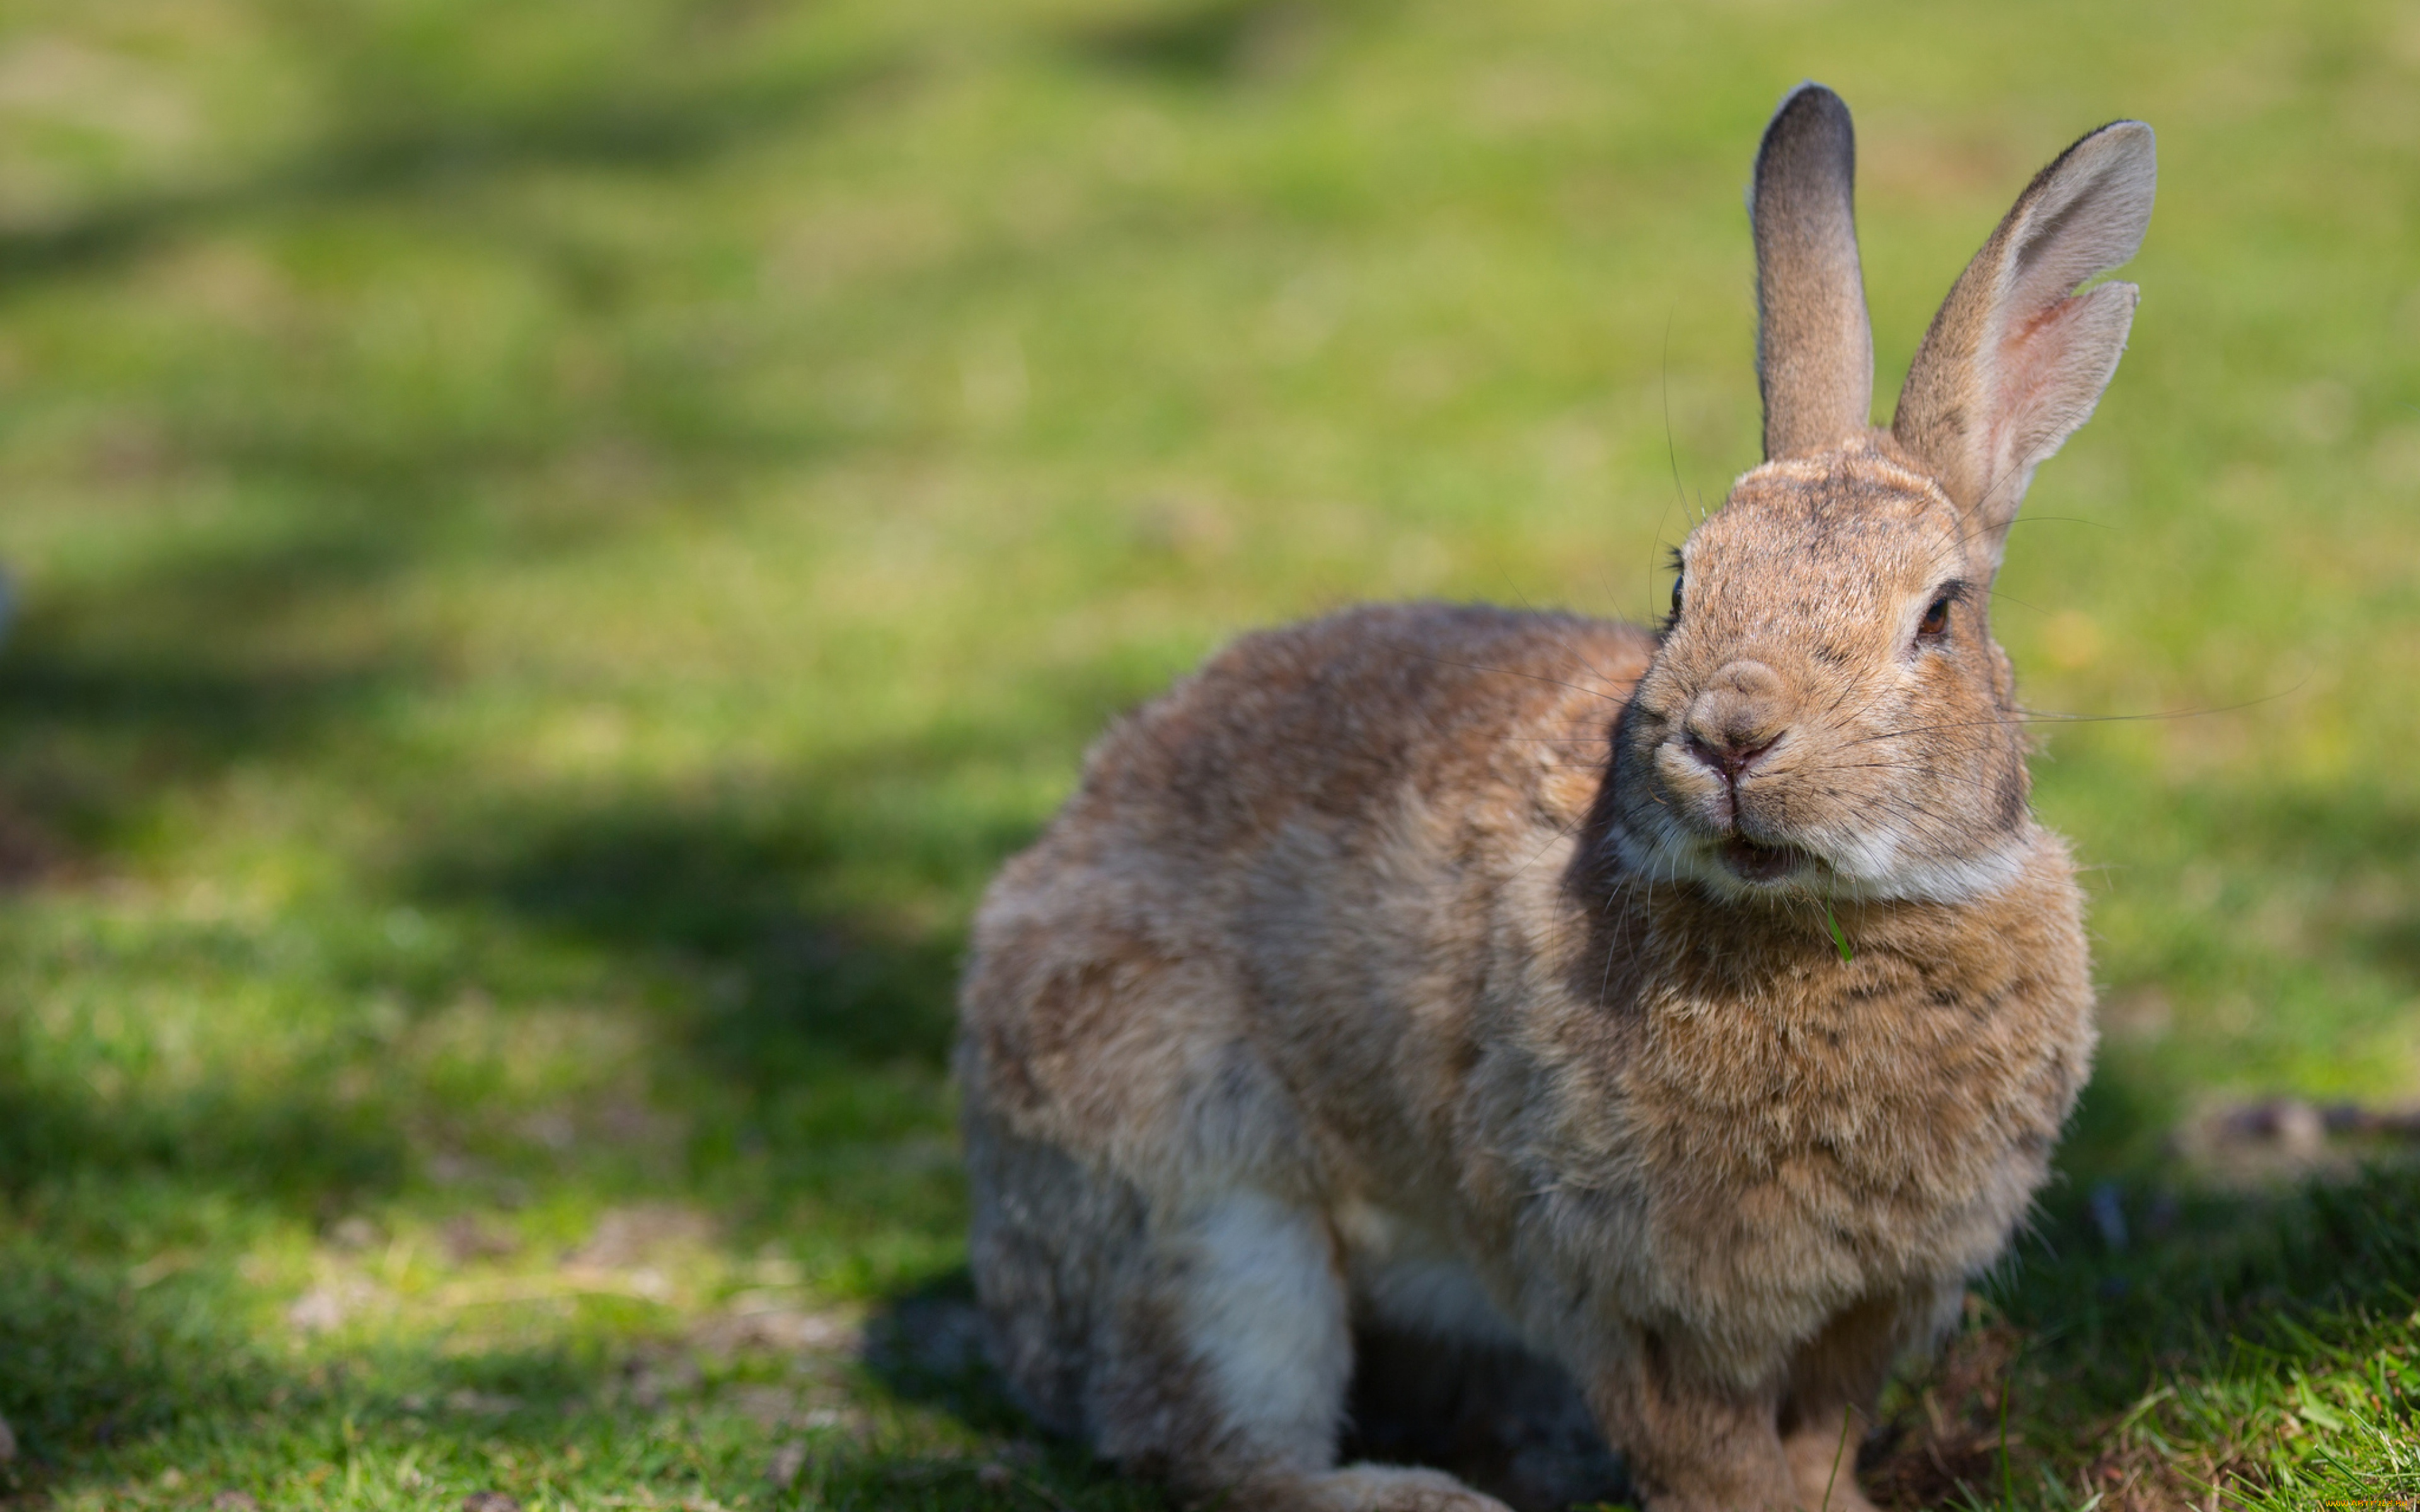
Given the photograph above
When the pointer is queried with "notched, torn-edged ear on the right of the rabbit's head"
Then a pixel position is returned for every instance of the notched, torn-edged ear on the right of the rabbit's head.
(2017, 359)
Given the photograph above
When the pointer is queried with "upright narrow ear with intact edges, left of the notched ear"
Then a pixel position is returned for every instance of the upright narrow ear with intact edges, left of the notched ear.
(1814, 342)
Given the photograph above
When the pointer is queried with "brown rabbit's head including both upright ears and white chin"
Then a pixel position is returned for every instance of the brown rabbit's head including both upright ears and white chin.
(1828, 710)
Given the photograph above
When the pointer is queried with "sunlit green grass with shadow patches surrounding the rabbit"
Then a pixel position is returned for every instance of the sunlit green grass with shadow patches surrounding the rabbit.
(558, 546)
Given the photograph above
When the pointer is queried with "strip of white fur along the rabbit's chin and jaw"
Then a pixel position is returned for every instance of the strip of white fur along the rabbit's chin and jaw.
(1865, 867)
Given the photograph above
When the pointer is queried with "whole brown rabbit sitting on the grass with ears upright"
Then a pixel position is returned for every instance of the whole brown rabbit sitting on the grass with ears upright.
(1690, 1010)
